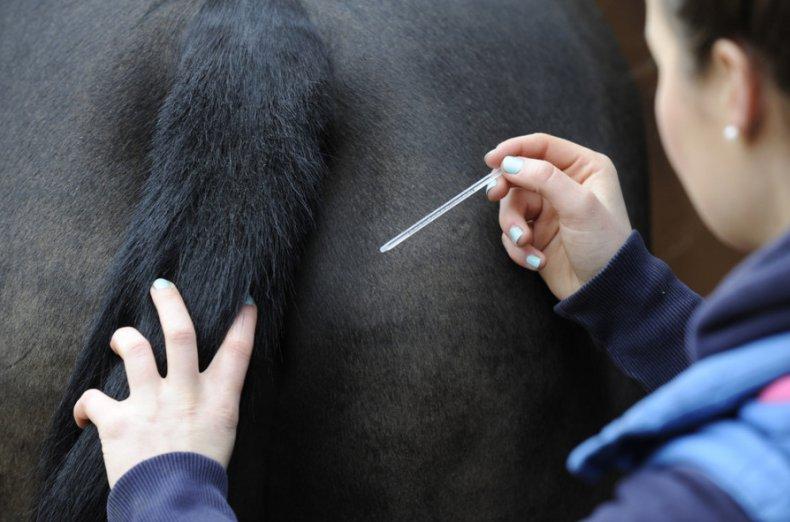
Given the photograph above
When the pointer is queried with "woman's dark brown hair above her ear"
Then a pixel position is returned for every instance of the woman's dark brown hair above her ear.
(761, 25)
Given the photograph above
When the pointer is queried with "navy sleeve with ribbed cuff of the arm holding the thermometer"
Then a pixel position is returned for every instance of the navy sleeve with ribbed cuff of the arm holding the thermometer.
(637, 310)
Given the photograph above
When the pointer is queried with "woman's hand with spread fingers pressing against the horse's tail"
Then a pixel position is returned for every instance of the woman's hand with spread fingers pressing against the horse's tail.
(185, 411)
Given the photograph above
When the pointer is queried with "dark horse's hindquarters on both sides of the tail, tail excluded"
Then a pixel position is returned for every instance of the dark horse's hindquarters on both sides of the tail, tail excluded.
(430, 382)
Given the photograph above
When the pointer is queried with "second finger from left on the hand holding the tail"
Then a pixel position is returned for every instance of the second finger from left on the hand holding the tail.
(138, 358)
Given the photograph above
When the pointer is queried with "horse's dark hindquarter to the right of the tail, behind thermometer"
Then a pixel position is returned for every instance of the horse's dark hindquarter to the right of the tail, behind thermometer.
(434, 381)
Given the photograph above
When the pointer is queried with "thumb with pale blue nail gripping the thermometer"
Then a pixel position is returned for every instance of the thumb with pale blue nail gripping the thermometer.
(571, 200)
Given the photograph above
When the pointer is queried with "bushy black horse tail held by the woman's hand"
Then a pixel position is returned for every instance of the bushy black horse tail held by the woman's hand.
(235, 168)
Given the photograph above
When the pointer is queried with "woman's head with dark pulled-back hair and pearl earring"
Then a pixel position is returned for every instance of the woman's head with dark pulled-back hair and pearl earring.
(723, 109)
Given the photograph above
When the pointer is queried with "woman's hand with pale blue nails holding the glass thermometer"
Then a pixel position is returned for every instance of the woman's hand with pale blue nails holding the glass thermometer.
(561, 208)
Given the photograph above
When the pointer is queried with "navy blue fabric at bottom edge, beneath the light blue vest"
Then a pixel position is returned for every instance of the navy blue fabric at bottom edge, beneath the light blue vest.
(658, 495)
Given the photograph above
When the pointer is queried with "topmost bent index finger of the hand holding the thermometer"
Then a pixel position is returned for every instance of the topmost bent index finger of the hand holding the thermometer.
(560, 152)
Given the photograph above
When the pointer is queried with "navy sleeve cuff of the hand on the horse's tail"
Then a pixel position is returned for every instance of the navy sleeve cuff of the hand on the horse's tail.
(173, 486)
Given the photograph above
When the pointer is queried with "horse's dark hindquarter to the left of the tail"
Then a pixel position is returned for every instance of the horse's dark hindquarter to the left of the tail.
(80, 86)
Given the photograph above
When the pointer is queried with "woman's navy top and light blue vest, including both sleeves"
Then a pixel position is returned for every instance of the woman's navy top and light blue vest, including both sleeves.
(672, 443)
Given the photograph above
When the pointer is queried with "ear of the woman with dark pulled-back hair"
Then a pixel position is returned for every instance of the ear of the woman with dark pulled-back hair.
(738, 74)
